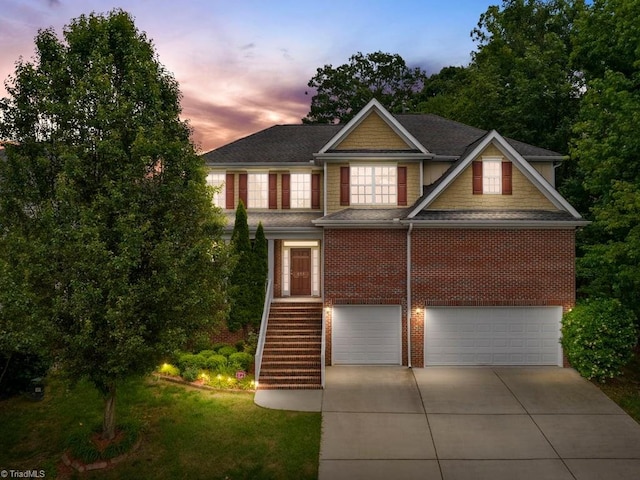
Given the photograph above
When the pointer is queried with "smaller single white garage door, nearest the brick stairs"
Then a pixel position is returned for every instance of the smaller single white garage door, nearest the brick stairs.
(366, 335)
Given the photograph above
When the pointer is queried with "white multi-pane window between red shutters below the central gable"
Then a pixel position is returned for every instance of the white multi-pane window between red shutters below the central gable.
(374, 185)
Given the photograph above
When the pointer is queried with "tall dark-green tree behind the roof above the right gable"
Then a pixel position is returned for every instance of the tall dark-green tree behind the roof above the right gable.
(520, 80)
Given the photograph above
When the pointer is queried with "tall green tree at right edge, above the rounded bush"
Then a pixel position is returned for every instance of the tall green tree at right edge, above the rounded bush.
(606, 149)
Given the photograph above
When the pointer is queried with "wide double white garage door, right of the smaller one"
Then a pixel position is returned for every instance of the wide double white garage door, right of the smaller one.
(493, 336)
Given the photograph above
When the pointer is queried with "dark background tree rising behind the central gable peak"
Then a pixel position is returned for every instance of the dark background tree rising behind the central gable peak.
(343, 91)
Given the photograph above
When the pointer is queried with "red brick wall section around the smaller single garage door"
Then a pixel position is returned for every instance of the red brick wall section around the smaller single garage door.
(364, 267)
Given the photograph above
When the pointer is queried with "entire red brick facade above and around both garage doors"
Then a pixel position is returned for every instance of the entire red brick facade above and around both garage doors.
(452, 267)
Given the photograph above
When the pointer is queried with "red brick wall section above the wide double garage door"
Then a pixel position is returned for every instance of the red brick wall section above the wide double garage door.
(489, 268)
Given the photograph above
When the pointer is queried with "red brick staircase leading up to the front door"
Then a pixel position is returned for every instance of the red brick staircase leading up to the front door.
(291, 355)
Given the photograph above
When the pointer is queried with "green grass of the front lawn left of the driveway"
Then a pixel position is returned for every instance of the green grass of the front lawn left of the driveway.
(187, 433)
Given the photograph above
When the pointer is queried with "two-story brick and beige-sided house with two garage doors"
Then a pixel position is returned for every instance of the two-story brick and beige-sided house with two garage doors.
(422, 240)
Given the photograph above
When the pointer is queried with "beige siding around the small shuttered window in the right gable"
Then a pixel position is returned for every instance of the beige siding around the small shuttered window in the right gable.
(459, 194)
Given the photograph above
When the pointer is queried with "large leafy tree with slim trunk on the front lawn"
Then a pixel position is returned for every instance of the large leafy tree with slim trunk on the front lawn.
(107, 221)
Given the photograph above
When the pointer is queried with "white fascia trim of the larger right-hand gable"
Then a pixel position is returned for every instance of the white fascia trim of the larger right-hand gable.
(521, 164)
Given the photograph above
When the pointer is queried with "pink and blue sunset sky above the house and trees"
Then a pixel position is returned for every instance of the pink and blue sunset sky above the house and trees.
(244, 65)
